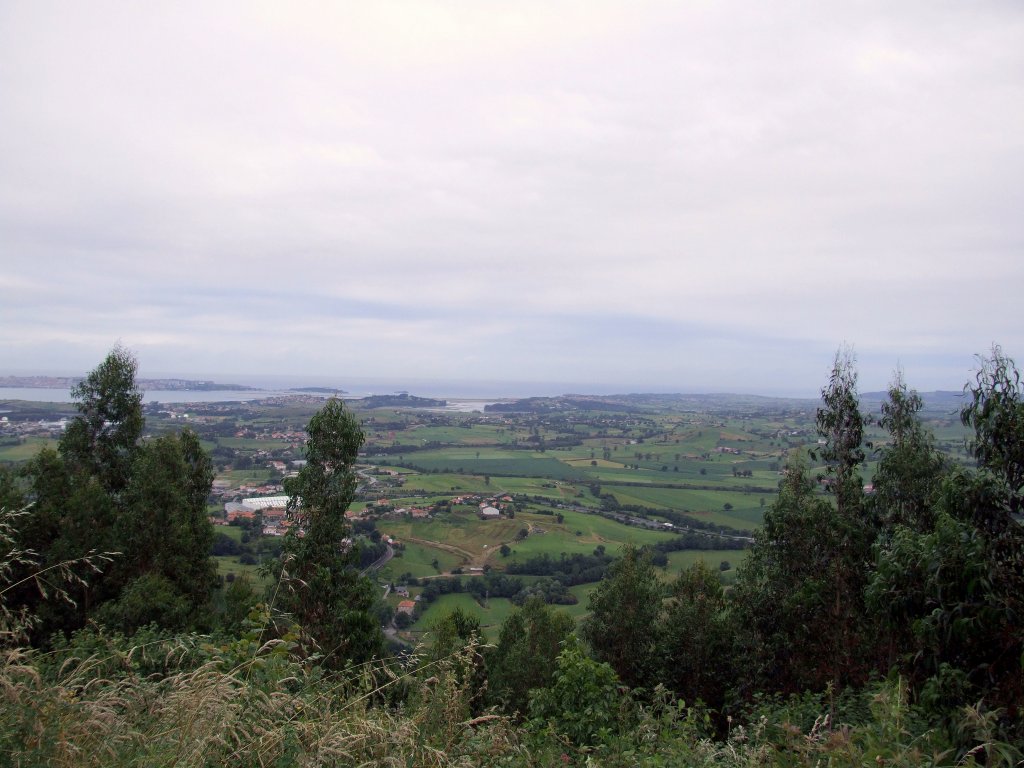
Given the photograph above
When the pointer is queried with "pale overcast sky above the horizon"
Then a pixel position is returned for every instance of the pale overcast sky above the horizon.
(644, 196)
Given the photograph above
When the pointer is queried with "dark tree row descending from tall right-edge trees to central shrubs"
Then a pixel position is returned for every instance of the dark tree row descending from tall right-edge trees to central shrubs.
(918, 578)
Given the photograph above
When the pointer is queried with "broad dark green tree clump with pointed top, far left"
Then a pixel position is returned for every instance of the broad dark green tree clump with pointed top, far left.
(108, 490)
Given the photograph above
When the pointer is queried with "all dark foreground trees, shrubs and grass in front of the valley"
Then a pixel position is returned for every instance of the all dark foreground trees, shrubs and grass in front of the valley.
(871, 625)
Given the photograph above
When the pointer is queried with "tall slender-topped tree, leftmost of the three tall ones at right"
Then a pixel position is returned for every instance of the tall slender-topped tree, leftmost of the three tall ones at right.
(800, 596)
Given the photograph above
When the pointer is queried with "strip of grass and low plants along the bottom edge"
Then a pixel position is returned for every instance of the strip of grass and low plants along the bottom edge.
(184, 702)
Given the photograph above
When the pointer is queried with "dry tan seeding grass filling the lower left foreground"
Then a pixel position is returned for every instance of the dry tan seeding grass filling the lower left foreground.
(204, 707)
